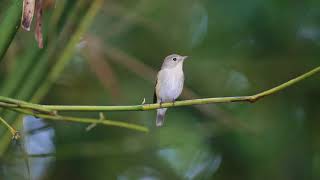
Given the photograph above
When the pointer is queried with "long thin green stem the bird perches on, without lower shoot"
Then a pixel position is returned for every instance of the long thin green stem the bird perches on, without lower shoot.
(143, 107)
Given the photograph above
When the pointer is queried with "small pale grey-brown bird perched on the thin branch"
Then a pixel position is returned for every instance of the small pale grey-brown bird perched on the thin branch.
(169, 83)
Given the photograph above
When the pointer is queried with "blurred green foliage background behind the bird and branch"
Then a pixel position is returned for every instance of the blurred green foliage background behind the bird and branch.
(110, 55)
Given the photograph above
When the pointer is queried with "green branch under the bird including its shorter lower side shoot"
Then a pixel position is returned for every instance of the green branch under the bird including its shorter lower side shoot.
(51, 111)
